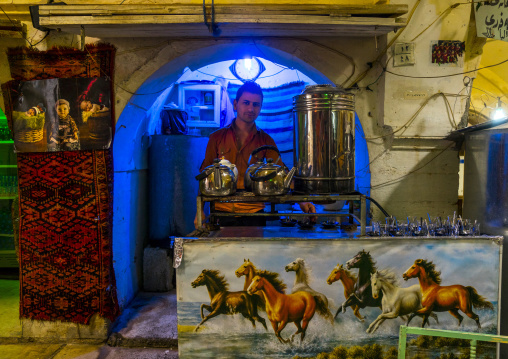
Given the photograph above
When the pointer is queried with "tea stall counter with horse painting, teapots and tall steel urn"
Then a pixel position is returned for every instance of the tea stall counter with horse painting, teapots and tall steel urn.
(336, 282)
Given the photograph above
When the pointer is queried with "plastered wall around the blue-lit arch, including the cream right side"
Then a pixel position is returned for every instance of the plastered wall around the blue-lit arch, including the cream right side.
(410, 176)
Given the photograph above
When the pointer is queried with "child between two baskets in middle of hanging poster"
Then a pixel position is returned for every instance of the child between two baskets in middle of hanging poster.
(67, 138)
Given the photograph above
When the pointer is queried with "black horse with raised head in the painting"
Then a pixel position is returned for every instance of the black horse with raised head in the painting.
(362, 295)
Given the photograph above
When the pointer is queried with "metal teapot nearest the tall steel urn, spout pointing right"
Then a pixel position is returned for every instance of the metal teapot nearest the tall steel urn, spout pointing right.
(271, 180)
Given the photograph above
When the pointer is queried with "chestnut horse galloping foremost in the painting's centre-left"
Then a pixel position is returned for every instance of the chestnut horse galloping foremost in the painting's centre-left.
(282, 308)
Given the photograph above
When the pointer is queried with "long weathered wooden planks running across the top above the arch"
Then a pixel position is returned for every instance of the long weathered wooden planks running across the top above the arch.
(187, 20)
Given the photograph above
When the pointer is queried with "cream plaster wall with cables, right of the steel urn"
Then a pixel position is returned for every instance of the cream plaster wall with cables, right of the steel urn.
(419, 148)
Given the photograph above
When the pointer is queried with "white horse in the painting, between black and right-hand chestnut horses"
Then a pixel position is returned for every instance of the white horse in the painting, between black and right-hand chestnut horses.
(396, 301)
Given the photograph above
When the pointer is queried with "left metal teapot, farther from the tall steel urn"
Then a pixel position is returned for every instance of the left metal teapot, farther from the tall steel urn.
(217, 179)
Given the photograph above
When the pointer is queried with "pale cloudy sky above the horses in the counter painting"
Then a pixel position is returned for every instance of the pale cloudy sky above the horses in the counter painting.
(473, 262)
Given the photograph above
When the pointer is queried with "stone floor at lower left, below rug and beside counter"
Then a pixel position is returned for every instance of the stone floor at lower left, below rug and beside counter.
(147, 329)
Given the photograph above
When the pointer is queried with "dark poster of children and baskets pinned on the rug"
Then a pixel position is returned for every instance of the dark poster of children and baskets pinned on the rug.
(62, 115)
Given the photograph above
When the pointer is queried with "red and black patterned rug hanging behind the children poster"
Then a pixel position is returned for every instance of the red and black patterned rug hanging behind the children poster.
(65, 204)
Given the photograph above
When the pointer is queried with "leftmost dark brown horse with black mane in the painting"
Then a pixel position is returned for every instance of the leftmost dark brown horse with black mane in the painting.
(224, 302)
